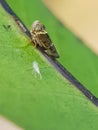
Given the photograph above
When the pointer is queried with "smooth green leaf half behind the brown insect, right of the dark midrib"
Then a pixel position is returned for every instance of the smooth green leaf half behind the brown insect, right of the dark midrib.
(74, 55)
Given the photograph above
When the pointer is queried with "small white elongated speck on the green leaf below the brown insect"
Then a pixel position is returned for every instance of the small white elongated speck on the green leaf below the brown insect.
(36, 69)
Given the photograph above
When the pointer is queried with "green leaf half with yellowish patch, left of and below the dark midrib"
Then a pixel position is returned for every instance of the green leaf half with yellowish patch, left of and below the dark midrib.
(33, 103)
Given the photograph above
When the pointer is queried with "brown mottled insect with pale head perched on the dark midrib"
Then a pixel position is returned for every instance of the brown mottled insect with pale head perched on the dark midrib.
(40, 37)
